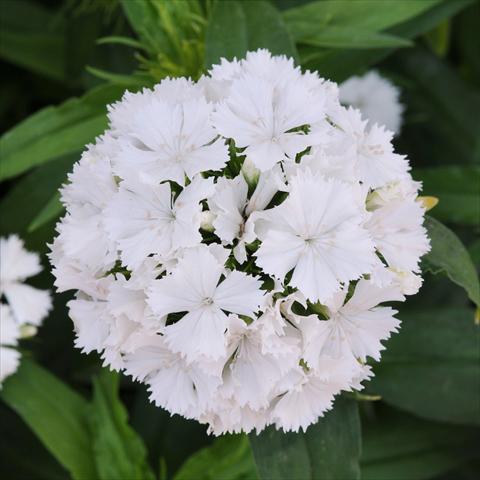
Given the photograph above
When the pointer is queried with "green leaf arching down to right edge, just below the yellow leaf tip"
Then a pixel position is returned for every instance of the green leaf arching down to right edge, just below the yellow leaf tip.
(449, 255)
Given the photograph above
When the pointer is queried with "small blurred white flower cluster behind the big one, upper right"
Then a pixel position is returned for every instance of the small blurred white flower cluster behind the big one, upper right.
(377, 98)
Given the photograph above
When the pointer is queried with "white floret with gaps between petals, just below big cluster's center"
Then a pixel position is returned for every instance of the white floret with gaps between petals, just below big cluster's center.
(194, 287)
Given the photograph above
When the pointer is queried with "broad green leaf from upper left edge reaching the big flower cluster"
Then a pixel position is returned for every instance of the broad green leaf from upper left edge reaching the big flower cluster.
(56, 131)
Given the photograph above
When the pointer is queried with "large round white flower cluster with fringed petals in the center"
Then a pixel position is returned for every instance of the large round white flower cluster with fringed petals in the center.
(231, 240)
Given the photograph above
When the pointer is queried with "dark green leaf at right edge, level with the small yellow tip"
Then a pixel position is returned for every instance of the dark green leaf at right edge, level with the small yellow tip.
(457, 189)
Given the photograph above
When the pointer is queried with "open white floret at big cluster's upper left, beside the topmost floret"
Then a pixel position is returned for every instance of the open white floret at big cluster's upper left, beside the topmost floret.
(171, 141)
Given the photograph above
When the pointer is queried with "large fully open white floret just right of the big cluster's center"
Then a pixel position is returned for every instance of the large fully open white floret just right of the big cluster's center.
(317, 233)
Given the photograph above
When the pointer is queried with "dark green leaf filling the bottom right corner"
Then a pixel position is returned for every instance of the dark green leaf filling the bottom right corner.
(400, 446)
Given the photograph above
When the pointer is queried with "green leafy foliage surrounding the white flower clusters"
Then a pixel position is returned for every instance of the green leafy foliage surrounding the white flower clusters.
(64, 60)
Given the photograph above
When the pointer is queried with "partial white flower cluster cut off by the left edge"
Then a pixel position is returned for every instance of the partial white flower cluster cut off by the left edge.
(25, 306)
